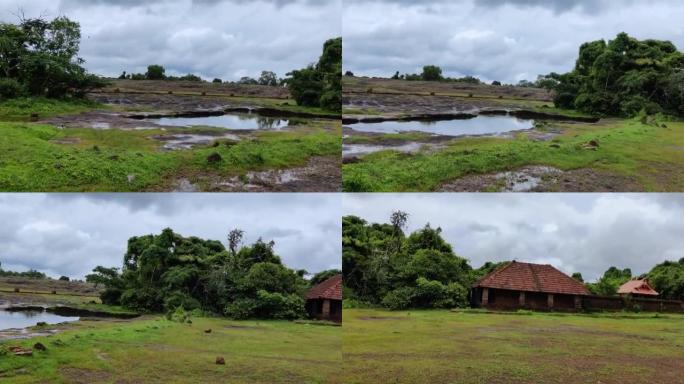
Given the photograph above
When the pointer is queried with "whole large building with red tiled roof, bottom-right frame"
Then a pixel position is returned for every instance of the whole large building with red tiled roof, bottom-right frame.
(528, 286)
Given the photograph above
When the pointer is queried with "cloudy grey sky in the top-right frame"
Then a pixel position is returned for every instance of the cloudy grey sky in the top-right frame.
(505, 40)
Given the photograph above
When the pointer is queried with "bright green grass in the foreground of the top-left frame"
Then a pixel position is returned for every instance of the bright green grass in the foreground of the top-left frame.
(103, 159)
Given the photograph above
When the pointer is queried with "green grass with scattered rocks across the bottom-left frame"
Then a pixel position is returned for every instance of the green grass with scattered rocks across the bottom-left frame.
(159, 351)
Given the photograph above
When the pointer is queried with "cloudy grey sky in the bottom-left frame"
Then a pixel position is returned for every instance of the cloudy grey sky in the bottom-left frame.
(70, 234)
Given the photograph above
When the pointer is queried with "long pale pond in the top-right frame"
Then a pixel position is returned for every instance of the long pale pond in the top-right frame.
(480, 125)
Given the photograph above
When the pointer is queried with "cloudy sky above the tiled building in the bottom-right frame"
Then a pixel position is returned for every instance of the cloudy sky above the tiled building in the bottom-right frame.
(584, 233)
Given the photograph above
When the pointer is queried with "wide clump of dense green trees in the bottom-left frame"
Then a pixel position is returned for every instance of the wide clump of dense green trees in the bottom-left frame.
(166, 271)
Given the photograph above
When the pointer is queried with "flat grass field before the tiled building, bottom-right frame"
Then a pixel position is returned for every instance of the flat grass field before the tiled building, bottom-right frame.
(467, 347)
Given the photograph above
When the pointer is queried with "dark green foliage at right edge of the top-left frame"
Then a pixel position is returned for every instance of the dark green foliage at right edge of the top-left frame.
(320, 85)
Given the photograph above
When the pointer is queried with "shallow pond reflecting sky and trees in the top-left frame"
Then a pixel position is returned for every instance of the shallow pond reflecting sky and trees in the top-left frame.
(241, 121)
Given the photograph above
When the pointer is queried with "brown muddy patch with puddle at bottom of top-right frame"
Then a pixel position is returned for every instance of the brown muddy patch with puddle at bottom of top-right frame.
(544, 179)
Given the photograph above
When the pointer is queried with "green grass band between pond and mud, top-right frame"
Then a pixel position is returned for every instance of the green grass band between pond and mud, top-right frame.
(650, 154)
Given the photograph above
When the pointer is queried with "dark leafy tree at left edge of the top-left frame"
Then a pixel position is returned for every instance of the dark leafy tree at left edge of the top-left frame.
(39, 58)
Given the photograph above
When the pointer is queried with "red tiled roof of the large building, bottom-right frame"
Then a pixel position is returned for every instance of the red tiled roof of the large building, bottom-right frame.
(529, 277)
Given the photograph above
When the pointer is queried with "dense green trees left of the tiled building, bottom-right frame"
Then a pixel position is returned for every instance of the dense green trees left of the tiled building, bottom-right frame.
(381, 265)
